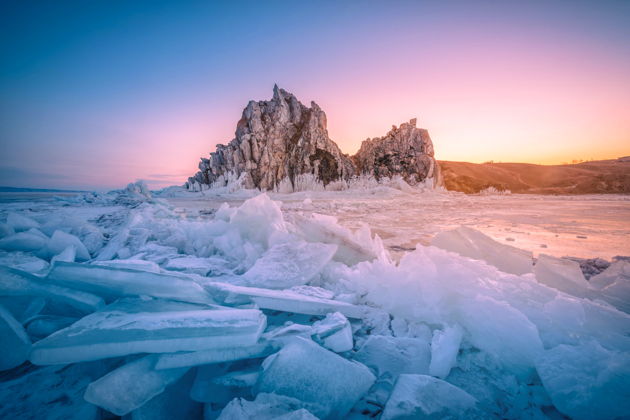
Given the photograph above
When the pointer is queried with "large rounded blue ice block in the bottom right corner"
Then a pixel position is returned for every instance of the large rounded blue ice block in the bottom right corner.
(587, 381)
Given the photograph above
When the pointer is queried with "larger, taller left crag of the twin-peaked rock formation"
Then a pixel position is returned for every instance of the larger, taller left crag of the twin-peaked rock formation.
(277, 140)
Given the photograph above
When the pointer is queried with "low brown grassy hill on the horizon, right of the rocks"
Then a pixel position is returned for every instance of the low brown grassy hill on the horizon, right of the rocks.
(595, 177)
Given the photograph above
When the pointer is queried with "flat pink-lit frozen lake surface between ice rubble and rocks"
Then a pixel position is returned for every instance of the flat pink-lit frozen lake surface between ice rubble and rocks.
(579, 226)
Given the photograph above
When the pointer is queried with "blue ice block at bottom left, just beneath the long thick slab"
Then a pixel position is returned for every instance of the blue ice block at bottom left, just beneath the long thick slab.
(130, 386)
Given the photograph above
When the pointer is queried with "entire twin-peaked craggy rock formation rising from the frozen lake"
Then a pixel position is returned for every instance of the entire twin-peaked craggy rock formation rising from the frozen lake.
(283, 145)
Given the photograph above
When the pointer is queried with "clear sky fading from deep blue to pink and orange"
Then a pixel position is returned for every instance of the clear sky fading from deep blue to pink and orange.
(96, 94)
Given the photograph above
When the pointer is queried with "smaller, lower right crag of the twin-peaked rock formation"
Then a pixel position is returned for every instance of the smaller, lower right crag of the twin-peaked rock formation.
(406, 151)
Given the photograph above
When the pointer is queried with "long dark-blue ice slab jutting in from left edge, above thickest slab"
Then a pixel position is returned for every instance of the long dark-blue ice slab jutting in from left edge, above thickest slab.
(20, 283)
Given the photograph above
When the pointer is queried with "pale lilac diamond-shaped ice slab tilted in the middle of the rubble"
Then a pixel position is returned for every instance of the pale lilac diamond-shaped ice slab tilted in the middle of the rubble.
(288, 264)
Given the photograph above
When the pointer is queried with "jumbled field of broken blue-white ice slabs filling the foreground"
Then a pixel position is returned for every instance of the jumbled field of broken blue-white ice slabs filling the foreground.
(255, 313)
